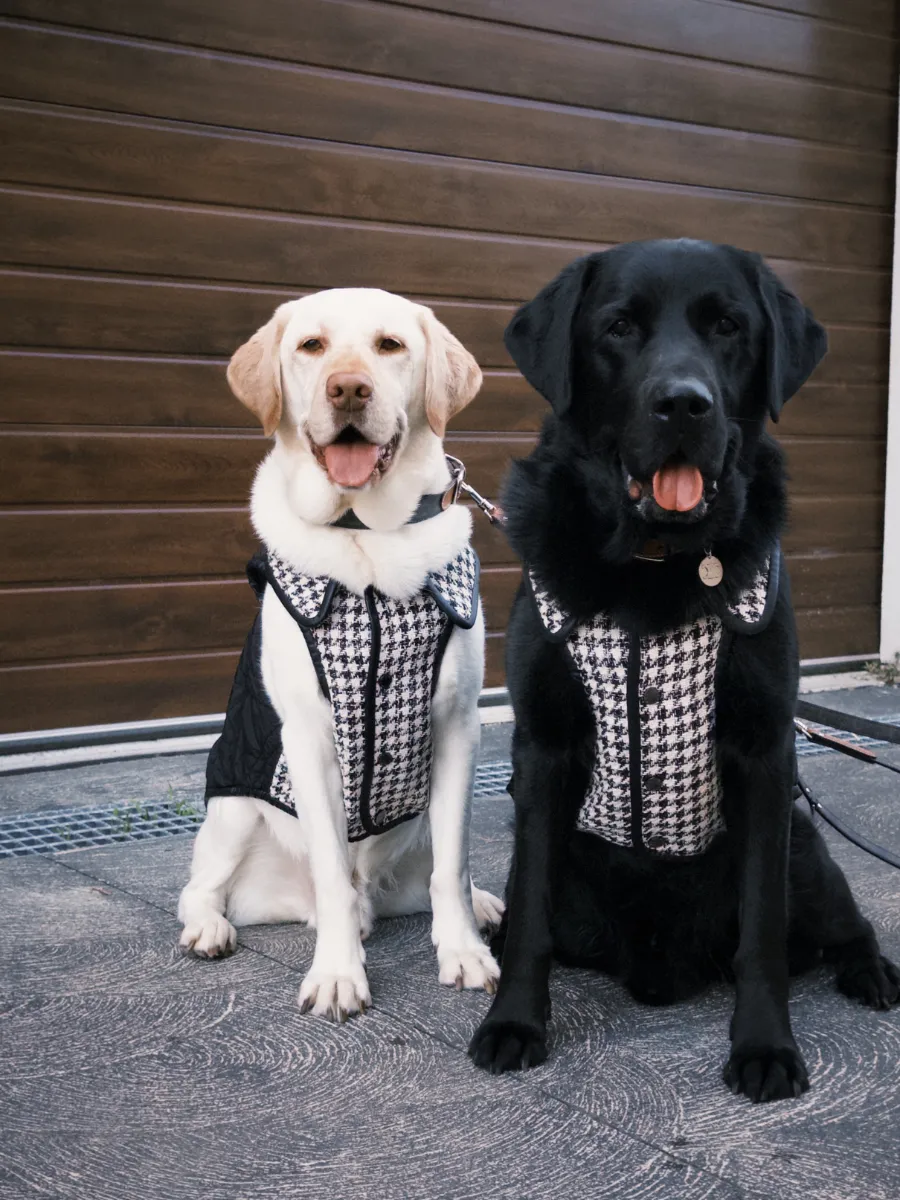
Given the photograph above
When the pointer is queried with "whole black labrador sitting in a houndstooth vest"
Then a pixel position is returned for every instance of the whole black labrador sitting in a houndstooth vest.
(653, 665)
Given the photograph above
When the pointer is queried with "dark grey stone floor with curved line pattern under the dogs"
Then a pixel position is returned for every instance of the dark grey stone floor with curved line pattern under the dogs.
(129, 1071)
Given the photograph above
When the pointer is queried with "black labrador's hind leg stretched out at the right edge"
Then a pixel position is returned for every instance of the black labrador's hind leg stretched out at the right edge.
(826, 917)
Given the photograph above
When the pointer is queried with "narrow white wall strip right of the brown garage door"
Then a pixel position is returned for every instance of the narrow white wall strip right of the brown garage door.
(891, 568)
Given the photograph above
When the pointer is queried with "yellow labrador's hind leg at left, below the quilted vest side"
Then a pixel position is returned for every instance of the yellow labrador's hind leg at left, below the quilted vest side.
(219, 851)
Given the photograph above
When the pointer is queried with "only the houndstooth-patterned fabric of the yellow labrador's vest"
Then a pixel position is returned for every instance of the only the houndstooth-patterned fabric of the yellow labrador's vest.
(379, 657)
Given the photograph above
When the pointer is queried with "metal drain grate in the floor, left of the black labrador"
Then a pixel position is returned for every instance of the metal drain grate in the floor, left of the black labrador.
(57, 830)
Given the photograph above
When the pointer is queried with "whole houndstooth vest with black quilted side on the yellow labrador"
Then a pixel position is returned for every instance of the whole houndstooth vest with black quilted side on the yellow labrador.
(377, 662)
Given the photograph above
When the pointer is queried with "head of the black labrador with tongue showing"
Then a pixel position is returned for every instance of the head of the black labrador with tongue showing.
(662, 361)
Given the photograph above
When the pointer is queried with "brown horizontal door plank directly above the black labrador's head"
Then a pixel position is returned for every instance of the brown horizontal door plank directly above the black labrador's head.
(177, 163)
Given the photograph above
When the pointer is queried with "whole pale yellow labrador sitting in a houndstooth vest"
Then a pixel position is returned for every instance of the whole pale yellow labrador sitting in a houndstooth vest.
(340, 790)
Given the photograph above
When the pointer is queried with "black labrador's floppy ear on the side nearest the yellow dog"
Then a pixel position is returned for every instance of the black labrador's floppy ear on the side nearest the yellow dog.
(541, 335)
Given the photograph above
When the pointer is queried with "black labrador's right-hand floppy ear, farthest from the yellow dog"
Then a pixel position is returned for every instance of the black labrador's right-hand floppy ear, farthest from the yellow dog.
(795, 341)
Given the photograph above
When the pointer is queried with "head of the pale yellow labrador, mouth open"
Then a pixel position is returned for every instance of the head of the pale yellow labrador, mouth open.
(351, 376)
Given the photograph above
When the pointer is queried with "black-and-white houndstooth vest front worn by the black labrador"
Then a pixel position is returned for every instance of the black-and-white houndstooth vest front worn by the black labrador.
(655, 781)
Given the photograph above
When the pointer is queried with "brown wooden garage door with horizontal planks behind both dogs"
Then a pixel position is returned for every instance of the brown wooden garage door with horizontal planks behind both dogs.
(173, 170)
